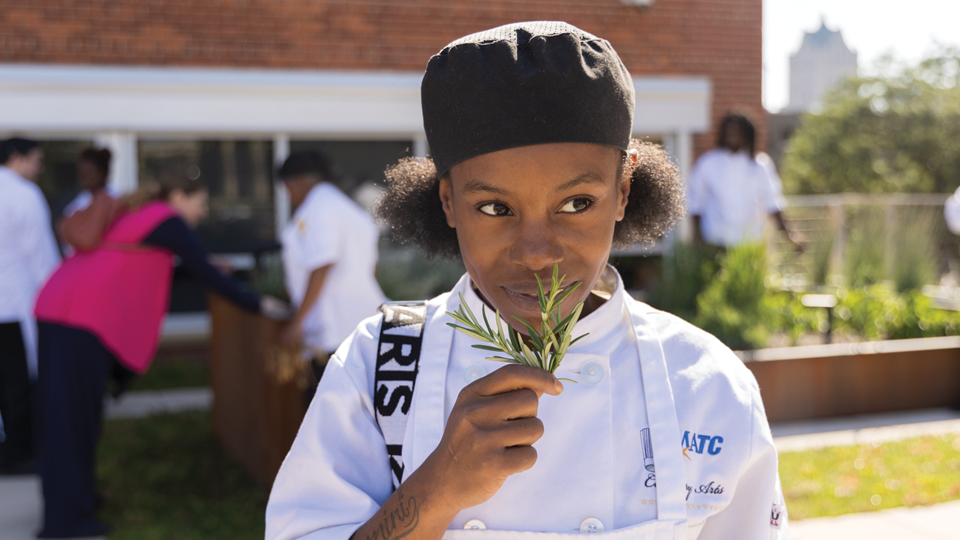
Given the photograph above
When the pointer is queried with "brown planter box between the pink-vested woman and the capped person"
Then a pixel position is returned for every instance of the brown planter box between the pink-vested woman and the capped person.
(254, 417)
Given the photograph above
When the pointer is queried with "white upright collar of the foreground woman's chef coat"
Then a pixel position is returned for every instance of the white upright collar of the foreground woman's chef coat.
(604, 320)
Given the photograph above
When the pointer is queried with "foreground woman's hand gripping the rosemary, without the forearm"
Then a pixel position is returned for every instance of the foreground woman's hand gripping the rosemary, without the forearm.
(489, 434)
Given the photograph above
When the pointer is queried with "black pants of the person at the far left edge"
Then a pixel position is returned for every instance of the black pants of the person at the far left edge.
(16, 400)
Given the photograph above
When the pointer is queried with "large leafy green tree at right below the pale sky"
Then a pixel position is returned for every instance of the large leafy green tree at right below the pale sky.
(896, 131)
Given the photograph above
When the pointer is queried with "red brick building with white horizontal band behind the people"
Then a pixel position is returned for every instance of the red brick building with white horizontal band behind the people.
(226, 87)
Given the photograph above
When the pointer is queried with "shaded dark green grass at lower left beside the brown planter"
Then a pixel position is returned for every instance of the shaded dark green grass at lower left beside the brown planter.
(166, 478)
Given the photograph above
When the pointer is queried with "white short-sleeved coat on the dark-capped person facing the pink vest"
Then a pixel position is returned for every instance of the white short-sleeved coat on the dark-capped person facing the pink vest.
(329, 228)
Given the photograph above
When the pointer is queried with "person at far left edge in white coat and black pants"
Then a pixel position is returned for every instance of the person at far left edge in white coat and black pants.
(28, 254)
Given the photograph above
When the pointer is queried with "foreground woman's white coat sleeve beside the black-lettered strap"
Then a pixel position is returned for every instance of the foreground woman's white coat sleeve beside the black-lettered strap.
(336, 475)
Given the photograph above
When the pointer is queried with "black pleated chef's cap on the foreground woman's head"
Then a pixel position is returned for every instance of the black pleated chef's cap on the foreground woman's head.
(523, 84)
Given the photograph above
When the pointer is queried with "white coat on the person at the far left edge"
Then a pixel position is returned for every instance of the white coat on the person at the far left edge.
(28, 255)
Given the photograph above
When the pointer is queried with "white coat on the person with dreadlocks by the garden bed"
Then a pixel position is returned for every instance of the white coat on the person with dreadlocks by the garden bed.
(733, 193)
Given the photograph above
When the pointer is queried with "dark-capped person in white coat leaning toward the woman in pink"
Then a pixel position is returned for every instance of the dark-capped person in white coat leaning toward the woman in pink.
(330, 259)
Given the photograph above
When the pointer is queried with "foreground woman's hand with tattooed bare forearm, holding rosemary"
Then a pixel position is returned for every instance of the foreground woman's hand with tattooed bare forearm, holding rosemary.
(487, 439)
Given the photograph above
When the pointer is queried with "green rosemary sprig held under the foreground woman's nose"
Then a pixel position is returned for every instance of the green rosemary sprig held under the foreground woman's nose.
(549, 344)
